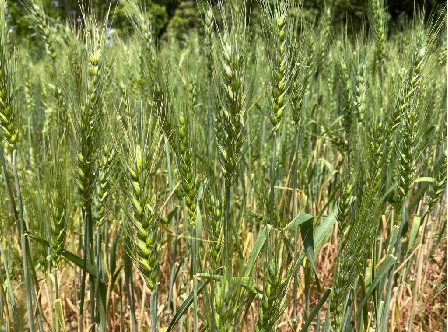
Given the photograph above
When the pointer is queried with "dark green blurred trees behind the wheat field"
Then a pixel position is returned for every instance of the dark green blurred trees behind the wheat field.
(178, 16)
